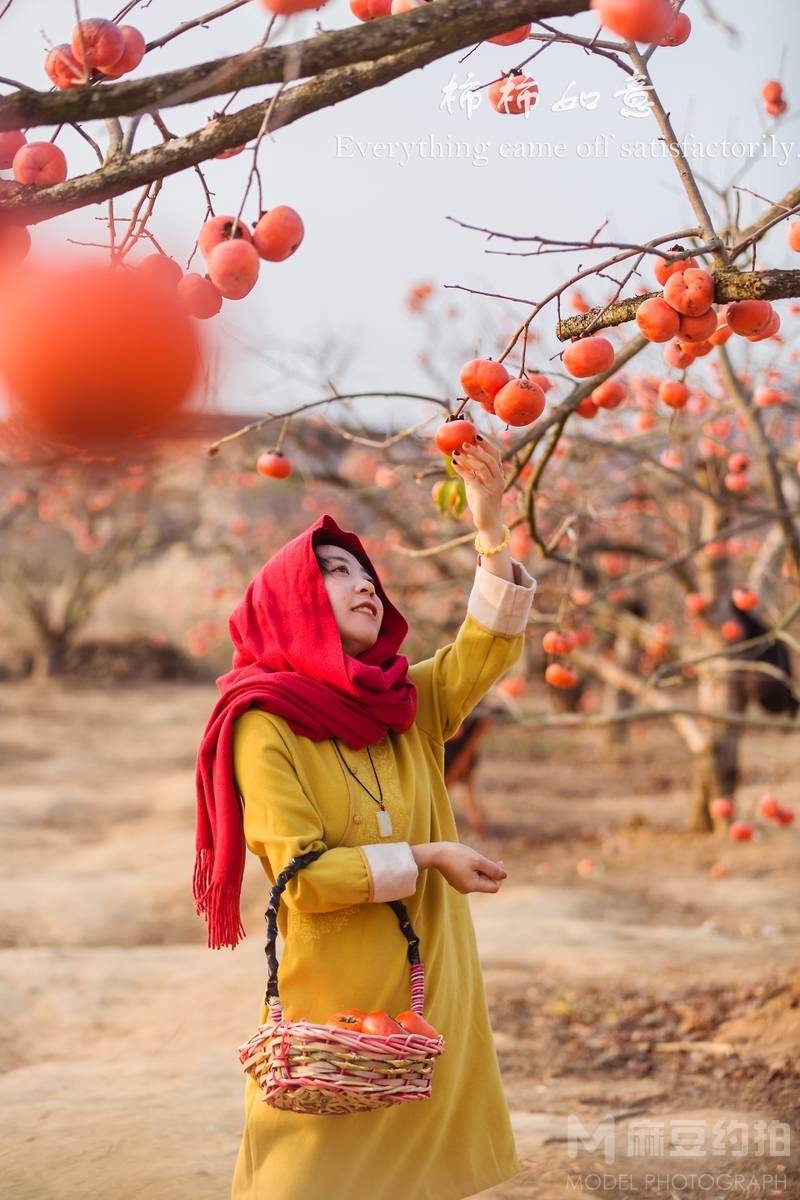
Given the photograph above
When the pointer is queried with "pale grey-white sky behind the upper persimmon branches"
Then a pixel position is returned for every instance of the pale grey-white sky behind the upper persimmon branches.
(376, 212)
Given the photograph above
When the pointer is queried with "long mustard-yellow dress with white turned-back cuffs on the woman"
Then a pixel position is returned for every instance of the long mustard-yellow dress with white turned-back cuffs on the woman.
(344, 950)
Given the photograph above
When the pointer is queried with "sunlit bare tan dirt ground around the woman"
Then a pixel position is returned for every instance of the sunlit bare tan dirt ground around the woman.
(647, 1015)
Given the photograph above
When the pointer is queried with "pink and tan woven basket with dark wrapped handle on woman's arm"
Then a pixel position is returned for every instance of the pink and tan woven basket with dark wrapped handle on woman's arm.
(324, 1070)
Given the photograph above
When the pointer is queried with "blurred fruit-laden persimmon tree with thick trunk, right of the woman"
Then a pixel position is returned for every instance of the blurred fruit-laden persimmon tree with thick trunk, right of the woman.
(659, 578)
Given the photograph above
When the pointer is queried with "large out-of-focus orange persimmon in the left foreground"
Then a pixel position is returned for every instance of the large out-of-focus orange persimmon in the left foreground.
(93, 355)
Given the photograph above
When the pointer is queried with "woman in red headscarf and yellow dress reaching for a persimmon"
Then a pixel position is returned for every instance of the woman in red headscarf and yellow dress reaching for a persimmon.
(326, 739)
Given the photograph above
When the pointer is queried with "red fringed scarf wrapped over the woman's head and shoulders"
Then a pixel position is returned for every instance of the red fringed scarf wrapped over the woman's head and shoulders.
(290, 659)
